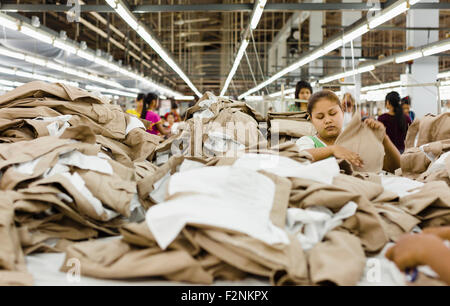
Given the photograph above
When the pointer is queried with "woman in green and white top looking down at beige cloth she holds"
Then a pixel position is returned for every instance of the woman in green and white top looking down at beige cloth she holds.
(325, 111)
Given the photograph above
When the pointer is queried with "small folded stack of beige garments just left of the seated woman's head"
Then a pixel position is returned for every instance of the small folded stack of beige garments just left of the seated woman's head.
(288, 126)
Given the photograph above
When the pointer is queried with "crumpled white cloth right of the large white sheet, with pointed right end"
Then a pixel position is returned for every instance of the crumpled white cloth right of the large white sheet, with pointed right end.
(310, 225)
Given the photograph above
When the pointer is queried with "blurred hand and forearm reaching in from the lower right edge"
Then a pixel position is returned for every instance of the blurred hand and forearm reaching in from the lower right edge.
(426, 248)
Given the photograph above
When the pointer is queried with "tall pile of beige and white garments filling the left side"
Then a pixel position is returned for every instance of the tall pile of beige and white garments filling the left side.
(69, 163)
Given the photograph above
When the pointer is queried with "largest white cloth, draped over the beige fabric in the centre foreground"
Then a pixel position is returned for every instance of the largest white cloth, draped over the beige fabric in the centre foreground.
(235, 199)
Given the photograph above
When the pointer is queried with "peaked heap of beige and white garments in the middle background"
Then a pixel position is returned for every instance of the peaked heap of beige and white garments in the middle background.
(213, 127)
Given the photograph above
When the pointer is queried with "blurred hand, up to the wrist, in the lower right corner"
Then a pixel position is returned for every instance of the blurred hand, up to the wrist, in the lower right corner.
(412, 250)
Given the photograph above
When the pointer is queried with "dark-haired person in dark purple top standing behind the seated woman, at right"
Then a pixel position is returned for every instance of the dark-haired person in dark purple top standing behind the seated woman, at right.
(395, 121)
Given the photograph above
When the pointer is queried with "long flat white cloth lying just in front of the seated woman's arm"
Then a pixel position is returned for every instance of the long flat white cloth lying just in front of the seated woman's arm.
(322, 171)
